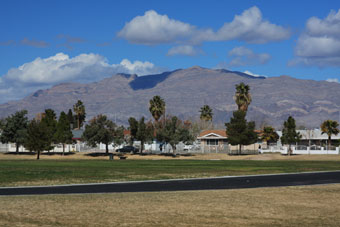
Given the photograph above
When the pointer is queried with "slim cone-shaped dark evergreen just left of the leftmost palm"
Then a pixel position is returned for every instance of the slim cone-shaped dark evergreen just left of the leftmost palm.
(63, 133)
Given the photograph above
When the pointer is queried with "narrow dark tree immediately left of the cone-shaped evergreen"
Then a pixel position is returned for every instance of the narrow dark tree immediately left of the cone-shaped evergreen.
(50, 121)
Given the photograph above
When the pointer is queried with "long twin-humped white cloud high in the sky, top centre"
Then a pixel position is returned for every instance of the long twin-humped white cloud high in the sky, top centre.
(153, 28)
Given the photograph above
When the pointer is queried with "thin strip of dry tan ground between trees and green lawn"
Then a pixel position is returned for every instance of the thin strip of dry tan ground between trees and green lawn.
(83, 155)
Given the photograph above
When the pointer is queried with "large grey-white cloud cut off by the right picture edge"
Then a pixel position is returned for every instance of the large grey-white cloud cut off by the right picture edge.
(319, 44)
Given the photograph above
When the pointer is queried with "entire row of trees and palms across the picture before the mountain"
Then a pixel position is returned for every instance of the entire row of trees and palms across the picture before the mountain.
(40, 134)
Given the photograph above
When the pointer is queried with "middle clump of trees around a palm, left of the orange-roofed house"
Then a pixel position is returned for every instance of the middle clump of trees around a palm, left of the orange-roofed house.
(165, 129)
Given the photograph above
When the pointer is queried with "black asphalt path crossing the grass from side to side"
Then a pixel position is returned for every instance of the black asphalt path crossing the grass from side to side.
(255, 181)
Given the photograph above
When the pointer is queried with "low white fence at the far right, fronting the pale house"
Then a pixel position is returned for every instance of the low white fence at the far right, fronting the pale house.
(298, 150)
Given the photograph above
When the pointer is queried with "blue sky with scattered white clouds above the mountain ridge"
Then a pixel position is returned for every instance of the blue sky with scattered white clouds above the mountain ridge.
(44, 43)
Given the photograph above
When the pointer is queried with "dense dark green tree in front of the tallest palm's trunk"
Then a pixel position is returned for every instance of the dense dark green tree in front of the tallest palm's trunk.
(239, 131)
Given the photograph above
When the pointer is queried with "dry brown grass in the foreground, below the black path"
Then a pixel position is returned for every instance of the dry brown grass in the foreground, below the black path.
(285, 206)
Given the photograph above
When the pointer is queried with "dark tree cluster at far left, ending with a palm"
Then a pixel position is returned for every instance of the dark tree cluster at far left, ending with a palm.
(44, 131)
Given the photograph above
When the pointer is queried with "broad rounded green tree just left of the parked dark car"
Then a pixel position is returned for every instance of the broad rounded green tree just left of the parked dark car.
(102, 130)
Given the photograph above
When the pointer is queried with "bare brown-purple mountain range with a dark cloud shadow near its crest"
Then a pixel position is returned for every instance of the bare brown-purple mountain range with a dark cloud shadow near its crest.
(185, 91)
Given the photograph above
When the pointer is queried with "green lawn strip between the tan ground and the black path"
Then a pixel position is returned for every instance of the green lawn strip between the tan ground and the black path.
(47, 172)
